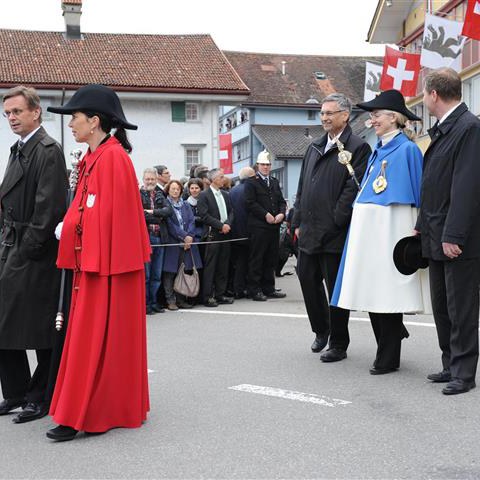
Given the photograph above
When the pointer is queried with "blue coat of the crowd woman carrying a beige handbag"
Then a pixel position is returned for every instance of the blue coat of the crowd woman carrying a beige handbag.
(177, 233)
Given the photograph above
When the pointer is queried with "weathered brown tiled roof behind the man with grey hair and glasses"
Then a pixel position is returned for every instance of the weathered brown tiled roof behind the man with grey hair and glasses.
(262, 72)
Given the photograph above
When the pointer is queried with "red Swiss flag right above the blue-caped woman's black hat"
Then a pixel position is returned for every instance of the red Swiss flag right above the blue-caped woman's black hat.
(400, 72)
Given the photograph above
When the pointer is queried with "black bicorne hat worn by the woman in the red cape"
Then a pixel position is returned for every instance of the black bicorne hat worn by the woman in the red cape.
(96, 98)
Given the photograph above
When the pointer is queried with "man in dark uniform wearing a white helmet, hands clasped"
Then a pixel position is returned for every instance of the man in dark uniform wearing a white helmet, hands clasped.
(266, 211)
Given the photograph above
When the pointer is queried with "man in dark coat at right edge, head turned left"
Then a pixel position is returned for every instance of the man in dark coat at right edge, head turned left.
(449, 224)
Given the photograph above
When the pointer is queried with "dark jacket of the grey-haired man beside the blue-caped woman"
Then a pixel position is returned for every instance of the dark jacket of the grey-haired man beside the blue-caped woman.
(323, 205)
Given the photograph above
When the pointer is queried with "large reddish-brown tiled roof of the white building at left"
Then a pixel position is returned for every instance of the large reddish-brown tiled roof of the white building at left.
(125, 61)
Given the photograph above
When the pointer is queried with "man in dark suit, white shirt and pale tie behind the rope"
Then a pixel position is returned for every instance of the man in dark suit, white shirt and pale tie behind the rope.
(216, 212)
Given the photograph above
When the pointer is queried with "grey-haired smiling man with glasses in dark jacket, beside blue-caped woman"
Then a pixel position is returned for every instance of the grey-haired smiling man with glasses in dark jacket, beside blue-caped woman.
(323, 210)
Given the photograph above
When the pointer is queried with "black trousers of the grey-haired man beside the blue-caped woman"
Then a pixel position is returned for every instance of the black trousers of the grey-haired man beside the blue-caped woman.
(312, 270)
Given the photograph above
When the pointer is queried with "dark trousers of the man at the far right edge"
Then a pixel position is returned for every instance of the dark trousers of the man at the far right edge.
(455, 302)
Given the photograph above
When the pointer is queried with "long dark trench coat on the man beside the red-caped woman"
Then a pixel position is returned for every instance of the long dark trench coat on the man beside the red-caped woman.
(33, 201)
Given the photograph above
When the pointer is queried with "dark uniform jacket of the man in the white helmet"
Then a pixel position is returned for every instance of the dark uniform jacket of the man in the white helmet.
(261, 199)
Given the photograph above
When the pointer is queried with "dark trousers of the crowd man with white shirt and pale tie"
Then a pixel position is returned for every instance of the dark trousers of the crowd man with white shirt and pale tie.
(215, 268)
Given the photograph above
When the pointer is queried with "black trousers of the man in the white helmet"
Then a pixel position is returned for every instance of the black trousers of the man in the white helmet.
(262, 260)
